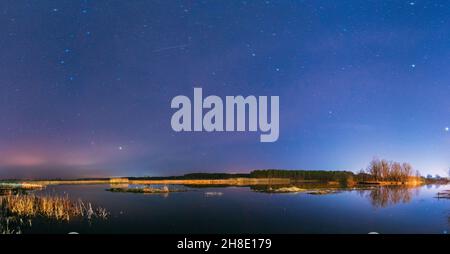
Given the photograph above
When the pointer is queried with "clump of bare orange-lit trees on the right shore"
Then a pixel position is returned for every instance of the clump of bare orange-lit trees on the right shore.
(383, 170)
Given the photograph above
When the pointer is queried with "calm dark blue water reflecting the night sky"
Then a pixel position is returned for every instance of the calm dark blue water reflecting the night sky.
(242, 210)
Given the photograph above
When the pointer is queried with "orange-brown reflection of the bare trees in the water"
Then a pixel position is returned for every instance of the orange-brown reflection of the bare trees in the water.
(384, 196)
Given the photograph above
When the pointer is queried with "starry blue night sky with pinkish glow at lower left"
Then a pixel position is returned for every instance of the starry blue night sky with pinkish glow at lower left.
(85, 86)
